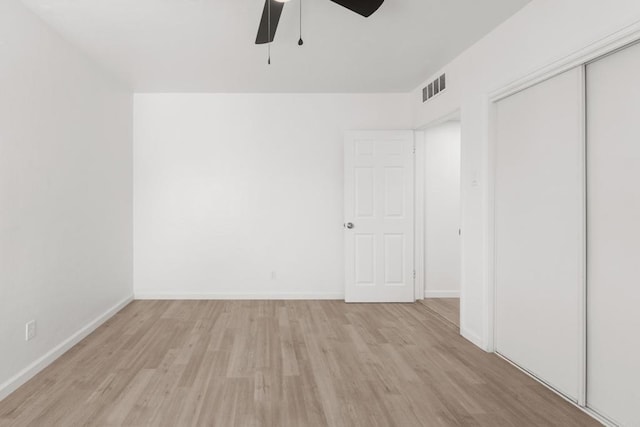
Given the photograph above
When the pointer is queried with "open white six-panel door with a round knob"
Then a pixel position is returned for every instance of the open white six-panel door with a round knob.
(378, 216)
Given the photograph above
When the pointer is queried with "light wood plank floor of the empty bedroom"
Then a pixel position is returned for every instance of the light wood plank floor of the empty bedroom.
(277, 363)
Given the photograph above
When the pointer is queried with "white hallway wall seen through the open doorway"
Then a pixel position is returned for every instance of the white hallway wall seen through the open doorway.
(442, 210)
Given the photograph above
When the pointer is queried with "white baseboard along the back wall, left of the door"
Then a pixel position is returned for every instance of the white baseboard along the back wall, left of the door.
(238, 296)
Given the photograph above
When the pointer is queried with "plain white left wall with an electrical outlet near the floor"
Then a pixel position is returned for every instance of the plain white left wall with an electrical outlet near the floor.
(65, 193)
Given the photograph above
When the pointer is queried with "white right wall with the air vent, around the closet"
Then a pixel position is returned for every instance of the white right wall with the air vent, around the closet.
(543, 32)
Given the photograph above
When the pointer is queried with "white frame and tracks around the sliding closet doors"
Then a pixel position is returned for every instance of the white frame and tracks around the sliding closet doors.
(604, 47)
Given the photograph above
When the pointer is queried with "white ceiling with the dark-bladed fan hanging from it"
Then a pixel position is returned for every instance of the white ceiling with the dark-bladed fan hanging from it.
(208, 45)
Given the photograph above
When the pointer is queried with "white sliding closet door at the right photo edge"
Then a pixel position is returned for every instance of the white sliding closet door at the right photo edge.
(613, 236)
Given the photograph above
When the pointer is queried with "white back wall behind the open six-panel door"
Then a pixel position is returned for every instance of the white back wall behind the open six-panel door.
(232, 187)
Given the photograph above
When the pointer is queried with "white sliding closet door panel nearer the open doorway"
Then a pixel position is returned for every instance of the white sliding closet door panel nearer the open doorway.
(539, 230)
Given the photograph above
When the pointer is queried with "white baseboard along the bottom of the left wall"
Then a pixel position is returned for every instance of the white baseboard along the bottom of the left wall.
(30, 371)
